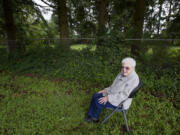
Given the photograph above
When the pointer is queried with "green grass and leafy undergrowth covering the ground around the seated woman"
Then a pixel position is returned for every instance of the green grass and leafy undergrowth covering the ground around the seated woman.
(48, 91)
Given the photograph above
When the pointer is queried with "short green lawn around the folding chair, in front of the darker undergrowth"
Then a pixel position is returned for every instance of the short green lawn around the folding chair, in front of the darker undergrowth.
(30, 104)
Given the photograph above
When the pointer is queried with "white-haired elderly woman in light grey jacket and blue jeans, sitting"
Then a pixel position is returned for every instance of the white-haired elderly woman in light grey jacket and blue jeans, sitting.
(112, 96)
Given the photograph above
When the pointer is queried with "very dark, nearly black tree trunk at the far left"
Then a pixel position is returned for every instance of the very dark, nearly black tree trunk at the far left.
(10, 26)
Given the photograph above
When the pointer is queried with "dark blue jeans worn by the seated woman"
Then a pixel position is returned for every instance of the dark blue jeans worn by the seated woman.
(96, 108)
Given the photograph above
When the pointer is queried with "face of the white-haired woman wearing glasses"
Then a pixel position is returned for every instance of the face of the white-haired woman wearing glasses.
(126, 69)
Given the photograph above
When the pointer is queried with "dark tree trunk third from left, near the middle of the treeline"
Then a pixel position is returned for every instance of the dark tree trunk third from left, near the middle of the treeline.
(101, 21)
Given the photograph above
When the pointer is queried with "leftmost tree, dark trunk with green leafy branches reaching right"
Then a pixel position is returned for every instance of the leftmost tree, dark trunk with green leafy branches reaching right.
(19, 17)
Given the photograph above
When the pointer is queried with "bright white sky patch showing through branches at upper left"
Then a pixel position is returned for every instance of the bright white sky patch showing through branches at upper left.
(47, 14)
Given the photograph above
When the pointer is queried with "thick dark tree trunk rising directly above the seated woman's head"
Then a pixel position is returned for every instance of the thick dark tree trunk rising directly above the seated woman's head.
(138, 22)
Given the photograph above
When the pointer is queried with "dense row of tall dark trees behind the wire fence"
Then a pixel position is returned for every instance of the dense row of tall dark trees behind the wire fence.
(21, 21)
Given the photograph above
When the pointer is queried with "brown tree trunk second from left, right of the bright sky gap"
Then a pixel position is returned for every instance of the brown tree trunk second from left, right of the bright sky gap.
(63, 23)
